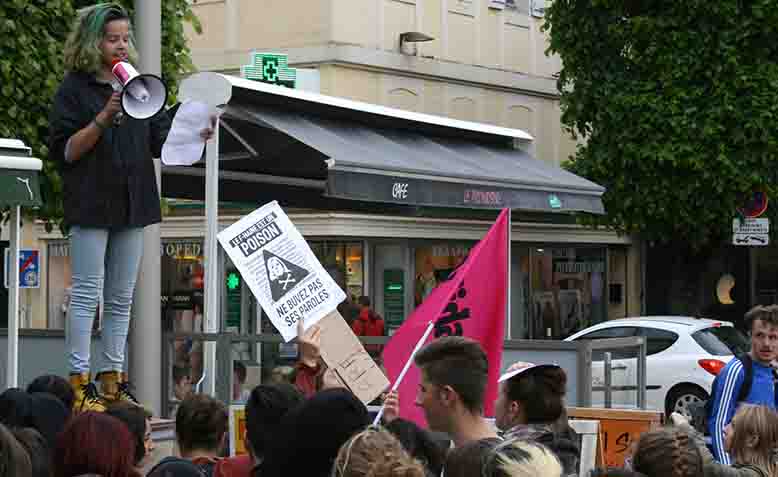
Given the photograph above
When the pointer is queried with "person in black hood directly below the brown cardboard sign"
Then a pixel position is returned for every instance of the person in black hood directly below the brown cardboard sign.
(311, 435)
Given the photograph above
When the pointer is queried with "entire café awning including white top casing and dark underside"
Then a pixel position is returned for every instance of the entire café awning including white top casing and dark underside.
(296, 147)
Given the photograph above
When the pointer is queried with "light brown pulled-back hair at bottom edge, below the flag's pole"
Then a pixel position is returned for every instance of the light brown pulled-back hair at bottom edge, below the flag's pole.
(375, 452)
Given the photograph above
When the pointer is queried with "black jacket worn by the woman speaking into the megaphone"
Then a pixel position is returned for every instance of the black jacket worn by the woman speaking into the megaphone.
(113, 185)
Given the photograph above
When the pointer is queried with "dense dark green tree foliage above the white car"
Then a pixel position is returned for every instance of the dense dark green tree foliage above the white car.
(677, 102)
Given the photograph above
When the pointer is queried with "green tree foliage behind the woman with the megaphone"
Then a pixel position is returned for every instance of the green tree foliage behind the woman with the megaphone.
(33, 34)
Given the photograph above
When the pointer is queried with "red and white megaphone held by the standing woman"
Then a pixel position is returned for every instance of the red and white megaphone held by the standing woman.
(143, 96)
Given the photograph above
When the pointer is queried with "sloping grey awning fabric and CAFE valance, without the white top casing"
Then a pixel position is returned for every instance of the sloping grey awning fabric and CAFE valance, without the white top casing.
(401, 167)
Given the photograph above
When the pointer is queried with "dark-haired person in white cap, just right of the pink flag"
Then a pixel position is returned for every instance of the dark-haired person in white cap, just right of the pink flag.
(529, 407)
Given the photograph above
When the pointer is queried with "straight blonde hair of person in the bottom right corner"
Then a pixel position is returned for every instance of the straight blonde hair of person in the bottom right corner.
(758, 422)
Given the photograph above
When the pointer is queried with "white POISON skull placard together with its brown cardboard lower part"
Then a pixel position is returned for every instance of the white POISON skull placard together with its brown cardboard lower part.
(291, 285)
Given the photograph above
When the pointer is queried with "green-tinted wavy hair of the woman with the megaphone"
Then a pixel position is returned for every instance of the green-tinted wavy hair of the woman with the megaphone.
(82, 49)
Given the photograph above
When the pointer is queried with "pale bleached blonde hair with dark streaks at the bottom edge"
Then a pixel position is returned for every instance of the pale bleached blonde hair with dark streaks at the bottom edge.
(519, 458)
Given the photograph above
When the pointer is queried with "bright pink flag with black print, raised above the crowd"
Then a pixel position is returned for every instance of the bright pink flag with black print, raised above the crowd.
(470, 303)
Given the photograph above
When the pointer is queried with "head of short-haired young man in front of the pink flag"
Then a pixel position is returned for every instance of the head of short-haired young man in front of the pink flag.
(453, 381)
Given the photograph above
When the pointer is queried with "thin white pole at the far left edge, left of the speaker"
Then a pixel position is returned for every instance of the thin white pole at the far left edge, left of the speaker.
(12, 371)
